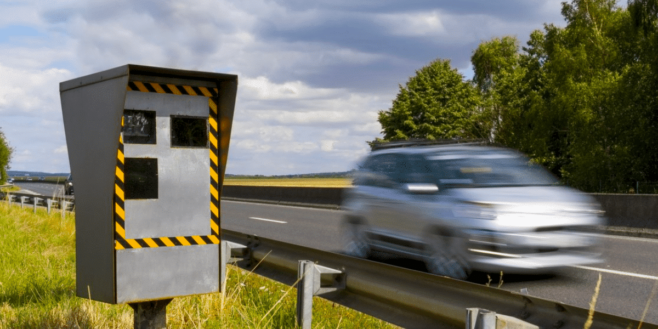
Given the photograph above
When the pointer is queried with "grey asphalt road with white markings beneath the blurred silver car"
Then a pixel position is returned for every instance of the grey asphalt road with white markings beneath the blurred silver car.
(629, 277)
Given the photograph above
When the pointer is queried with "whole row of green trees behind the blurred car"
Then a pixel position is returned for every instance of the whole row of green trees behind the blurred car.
(582, 100)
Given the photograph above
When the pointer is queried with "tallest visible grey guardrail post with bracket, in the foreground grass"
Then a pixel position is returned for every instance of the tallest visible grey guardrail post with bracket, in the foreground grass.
(309, 284)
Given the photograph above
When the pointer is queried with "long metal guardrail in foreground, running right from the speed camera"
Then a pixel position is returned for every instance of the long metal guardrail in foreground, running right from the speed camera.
(410, 298)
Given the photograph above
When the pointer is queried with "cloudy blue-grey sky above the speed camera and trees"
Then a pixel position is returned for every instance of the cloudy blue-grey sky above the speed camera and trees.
(312, 74)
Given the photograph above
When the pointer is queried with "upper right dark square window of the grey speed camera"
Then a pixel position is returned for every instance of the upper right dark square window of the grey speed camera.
(189, 132)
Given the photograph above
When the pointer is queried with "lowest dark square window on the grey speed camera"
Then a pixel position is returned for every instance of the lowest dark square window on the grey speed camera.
(141, 178)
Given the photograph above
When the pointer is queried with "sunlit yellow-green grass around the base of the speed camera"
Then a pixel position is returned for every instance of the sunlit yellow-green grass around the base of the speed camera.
(37, 288)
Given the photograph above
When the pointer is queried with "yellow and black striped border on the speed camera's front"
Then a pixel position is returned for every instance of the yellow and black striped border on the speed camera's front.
(213, 134)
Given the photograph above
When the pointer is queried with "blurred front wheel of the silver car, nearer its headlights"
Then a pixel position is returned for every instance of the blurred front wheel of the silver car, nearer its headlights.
(443, 256)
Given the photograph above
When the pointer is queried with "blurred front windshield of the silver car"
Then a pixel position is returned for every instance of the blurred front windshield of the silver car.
(488, 169)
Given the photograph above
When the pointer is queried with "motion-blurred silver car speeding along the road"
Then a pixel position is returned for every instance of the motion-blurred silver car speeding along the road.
(465, 207)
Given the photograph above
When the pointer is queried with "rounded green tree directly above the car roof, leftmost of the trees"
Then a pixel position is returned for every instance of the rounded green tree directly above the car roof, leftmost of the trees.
(436, 103)
